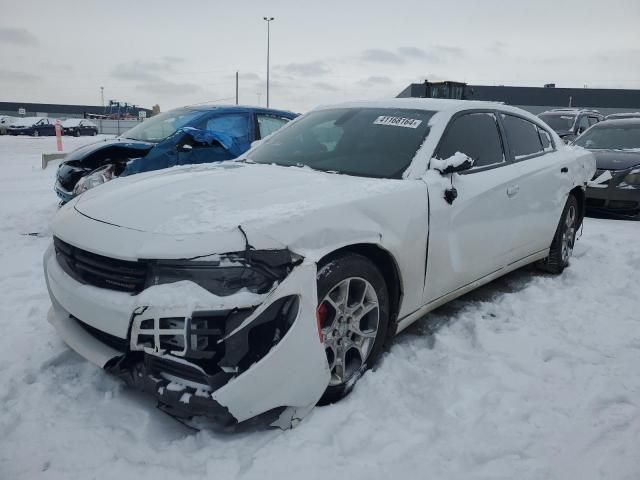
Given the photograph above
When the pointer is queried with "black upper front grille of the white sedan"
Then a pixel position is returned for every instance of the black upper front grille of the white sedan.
(99, 271)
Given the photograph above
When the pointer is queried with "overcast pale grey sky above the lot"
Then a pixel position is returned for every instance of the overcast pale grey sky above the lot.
(176, 53)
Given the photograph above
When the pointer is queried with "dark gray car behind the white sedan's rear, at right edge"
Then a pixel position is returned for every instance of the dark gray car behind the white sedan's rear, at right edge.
(616, 145)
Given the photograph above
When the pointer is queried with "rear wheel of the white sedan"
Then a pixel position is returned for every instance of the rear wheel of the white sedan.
(563, 240)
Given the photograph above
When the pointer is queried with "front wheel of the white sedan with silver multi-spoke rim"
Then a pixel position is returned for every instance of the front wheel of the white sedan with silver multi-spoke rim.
(347, 285)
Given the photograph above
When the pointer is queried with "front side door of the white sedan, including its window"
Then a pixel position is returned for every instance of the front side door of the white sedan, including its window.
(471, 237)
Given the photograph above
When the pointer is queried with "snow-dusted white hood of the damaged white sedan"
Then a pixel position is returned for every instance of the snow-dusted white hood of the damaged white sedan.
(203, 206)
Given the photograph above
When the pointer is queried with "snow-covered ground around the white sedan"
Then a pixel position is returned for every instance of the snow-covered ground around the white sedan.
(531, 377)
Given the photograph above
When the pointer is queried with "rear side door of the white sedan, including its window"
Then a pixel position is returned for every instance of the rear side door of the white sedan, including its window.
(543, 183)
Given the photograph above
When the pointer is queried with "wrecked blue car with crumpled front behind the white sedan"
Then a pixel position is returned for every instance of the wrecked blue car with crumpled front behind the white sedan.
(187, 135)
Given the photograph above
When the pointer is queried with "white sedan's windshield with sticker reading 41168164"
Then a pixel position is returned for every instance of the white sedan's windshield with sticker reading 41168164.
(367, 142)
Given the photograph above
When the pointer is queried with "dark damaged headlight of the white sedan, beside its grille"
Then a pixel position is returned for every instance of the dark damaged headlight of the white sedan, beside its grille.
(220, 278)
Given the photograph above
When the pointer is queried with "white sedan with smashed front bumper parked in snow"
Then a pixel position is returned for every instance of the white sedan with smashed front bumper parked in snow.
(262, 286)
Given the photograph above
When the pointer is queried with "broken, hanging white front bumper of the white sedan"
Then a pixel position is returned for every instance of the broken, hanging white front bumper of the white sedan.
(227, 358)
